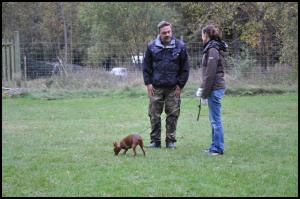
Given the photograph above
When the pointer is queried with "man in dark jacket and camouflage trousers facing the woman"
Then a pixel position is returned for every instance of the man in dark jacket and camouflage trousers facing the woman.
(165, 72)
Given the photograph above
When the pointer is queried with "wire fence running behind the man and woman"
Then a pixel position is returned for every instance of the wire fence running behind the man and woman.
(46, 59)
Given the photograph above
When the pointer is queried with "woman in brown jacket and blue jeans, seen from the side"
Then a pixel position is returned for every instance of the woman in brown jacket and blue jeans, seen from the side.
(212, 87)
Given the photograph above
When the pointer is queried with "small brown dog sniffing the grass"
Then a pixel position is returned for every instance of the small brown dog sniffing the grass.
(130, 141)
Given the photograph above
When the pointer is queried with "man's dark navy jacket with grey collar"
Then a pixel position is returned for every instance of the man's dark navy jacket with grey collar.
(166, 66)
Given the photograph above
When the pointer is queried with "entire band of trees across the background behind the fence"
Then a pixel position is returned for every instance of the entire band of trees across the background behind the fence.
(75, 31)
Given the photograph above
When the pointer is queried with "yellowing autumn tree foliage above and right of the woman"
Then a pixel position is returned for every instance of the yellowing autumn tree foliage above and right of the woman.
(269, 29)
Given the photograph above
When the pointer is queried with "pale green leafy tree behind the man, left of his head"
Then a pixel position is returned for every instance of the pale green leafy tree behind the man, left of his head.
(126, 26)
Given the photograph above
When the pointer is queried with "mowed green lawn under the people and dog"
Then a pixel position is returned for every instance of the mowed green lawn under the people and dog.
(64, 148)
